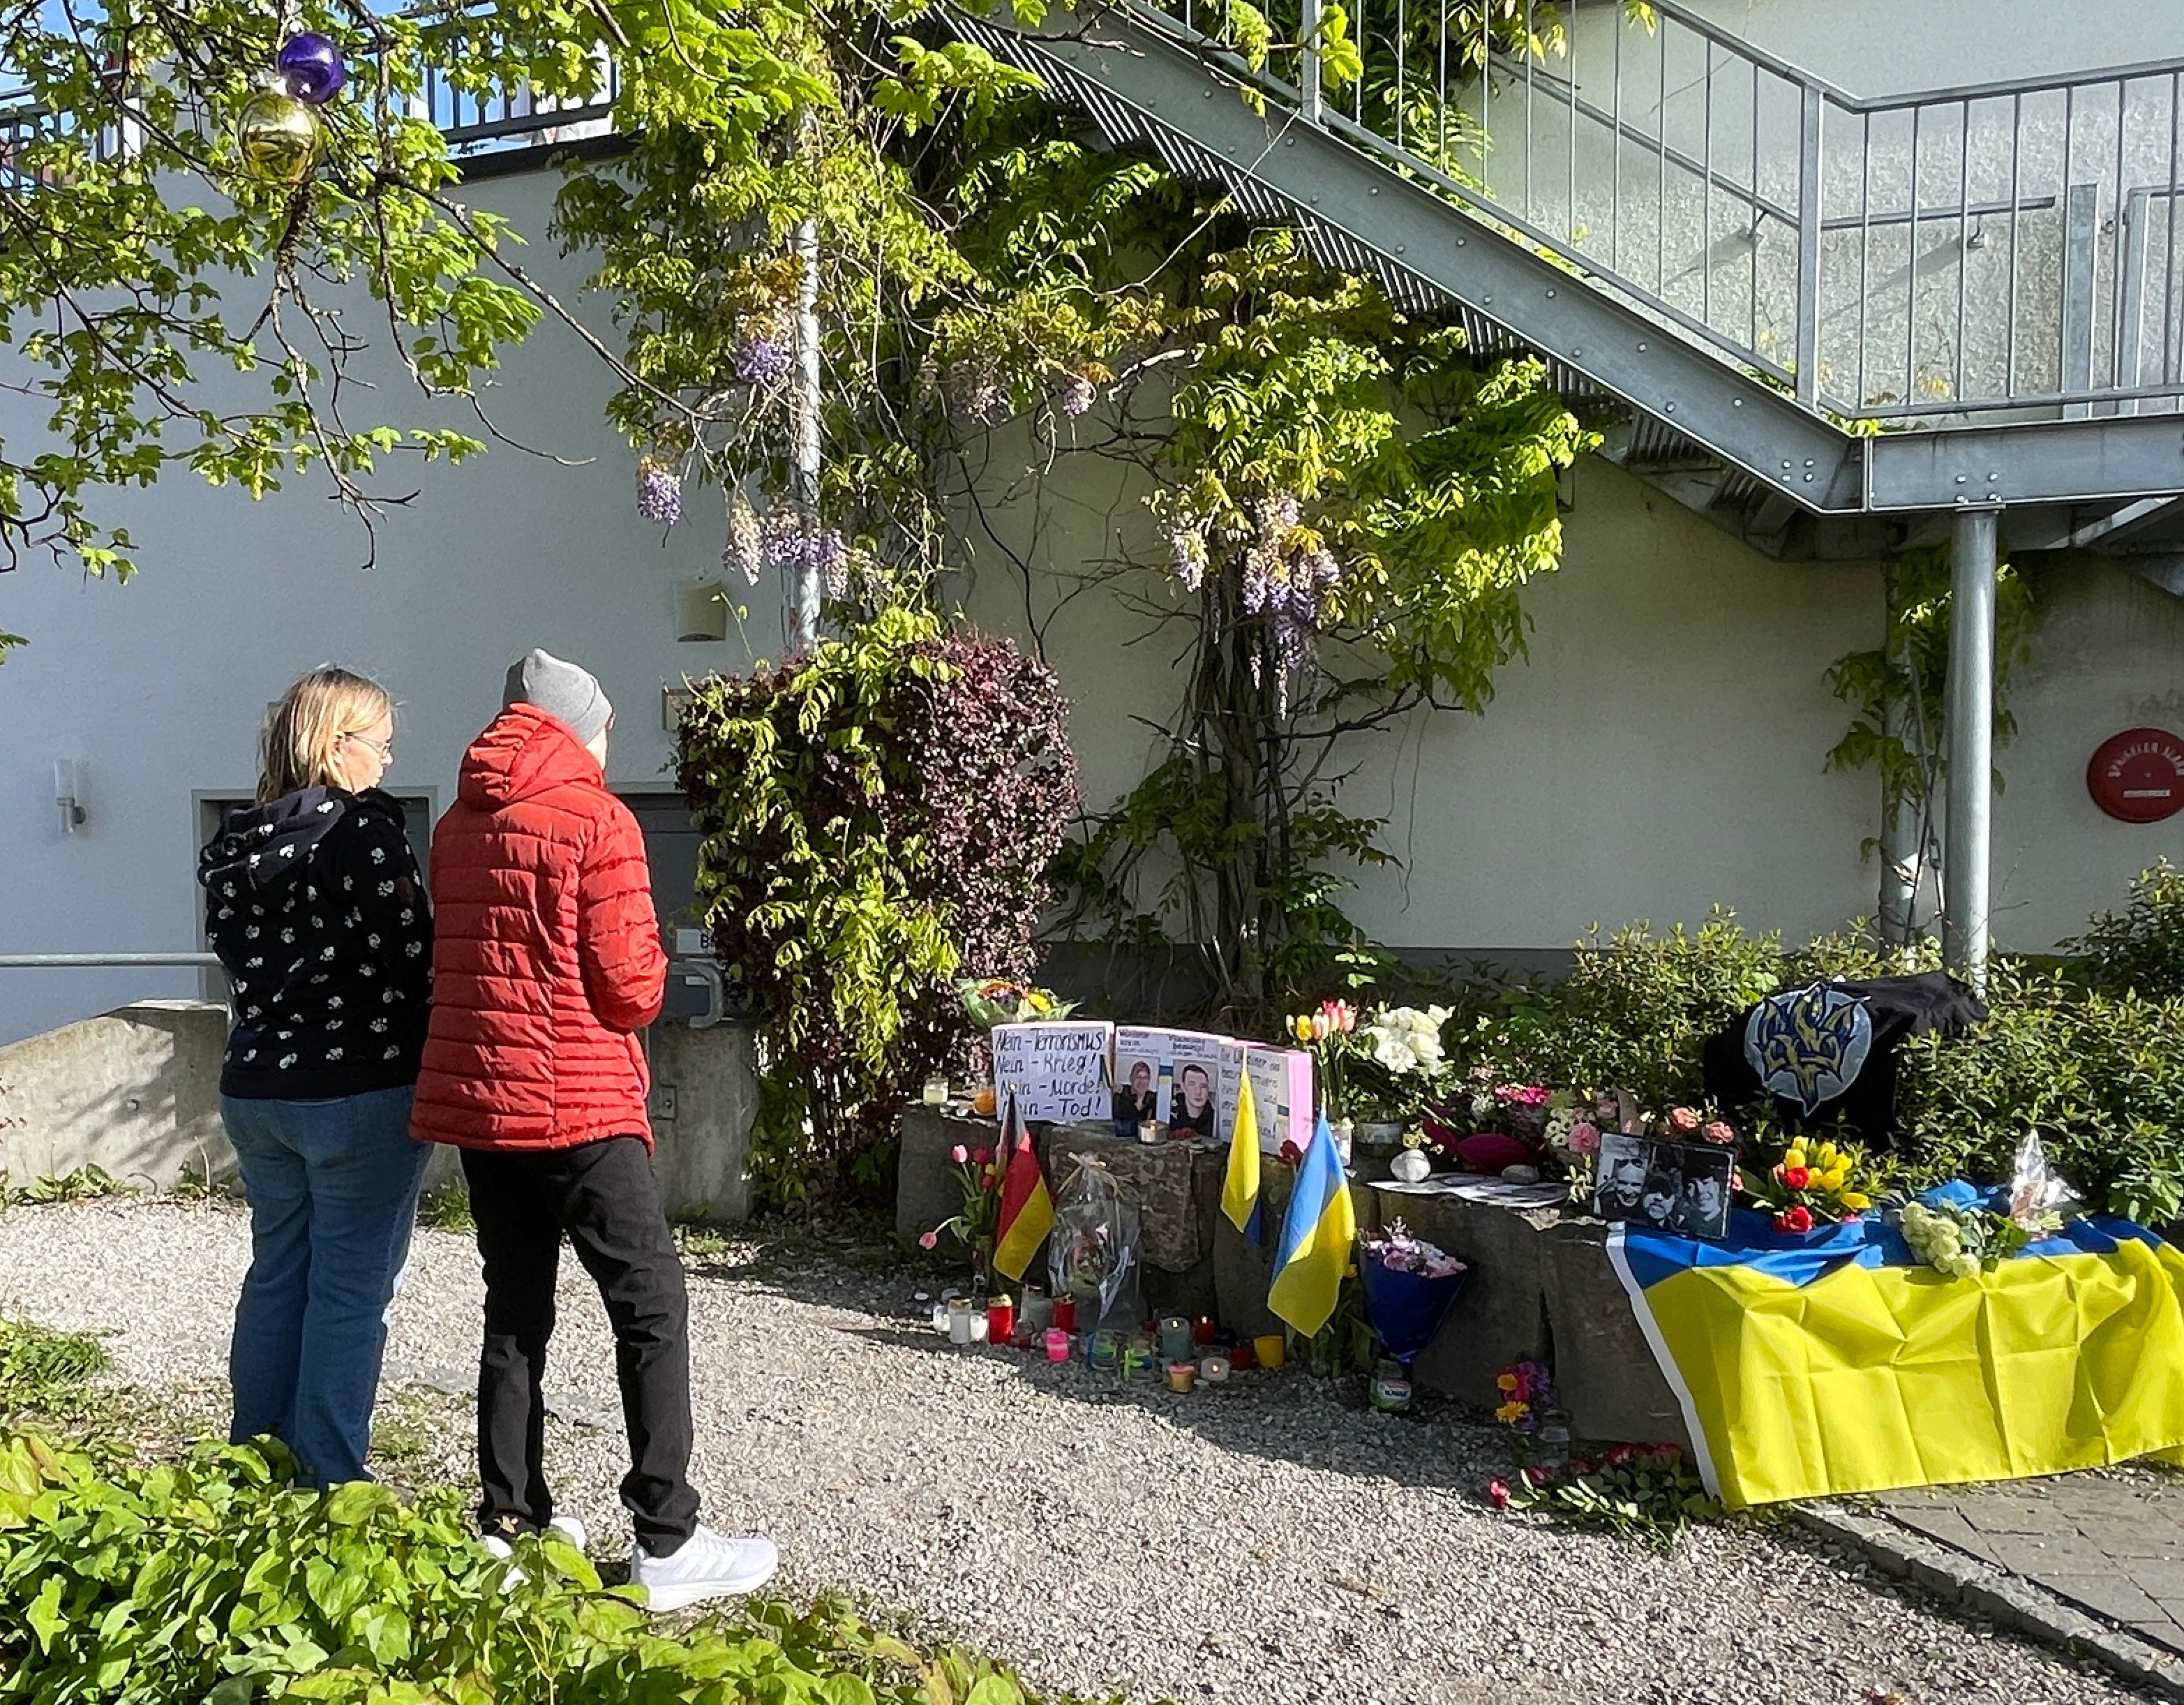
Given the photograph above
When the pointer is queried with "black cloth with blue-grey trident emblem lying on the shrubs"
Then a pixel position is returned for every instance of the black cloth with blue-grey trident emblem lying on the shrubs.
(1825, 1053)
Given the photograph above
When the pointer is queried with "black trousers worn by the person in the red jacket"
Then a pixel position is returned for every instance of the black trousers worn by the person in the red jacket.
(606, 1200)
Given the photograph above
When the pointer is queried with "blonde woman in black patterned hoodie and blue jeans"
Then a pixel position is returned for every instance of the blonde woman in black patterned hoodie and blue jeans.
(316, 907)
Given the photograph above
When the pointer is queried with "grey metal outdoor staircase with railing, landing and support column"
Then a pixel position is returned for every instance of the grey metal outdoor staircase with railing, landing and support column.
(1836, 326)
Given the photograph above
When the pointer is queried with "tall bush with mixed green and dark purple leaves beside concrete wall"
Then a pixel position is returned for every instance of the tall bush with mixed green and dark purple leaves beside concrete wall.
(877, 820)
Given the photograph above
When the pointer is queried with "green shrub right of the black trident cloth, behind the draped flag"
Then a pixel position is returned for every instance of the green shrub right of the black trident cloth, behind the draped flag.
(2100, 1077)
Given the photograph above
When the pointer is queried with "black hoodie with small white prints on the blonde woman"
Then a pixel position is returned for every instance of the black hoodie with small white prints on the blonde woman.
(316, 907)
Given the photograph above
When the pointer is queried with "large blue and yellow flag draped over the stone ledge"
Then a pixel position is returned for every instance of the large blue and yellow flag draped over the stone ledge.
(1840, 1363)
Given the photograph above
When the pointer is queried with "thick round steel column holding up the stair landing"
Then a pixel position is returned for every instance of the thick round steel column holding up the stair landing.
(1969, 735)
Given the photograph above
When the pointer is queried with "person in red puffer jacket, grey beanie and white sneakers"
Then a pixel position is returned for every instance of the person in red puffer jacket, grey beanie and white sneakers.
(547, 964)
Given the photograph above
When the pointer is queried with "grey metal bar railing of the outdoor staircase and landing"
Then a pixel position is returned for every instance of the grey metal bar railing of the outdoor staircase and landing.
(2006, 250)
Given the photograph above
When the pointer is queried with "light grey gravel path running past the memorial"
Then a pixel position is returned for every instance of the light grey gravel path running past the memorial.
(1257, 1545)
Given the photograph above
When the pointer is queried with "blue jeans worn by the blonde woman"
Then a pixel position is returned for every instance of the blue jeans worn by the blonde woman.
(333, 1189)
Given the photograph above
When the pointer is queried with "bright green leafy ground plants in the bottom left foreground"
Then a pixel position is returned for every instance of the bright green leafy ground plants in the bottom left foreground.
(211, 1579)
